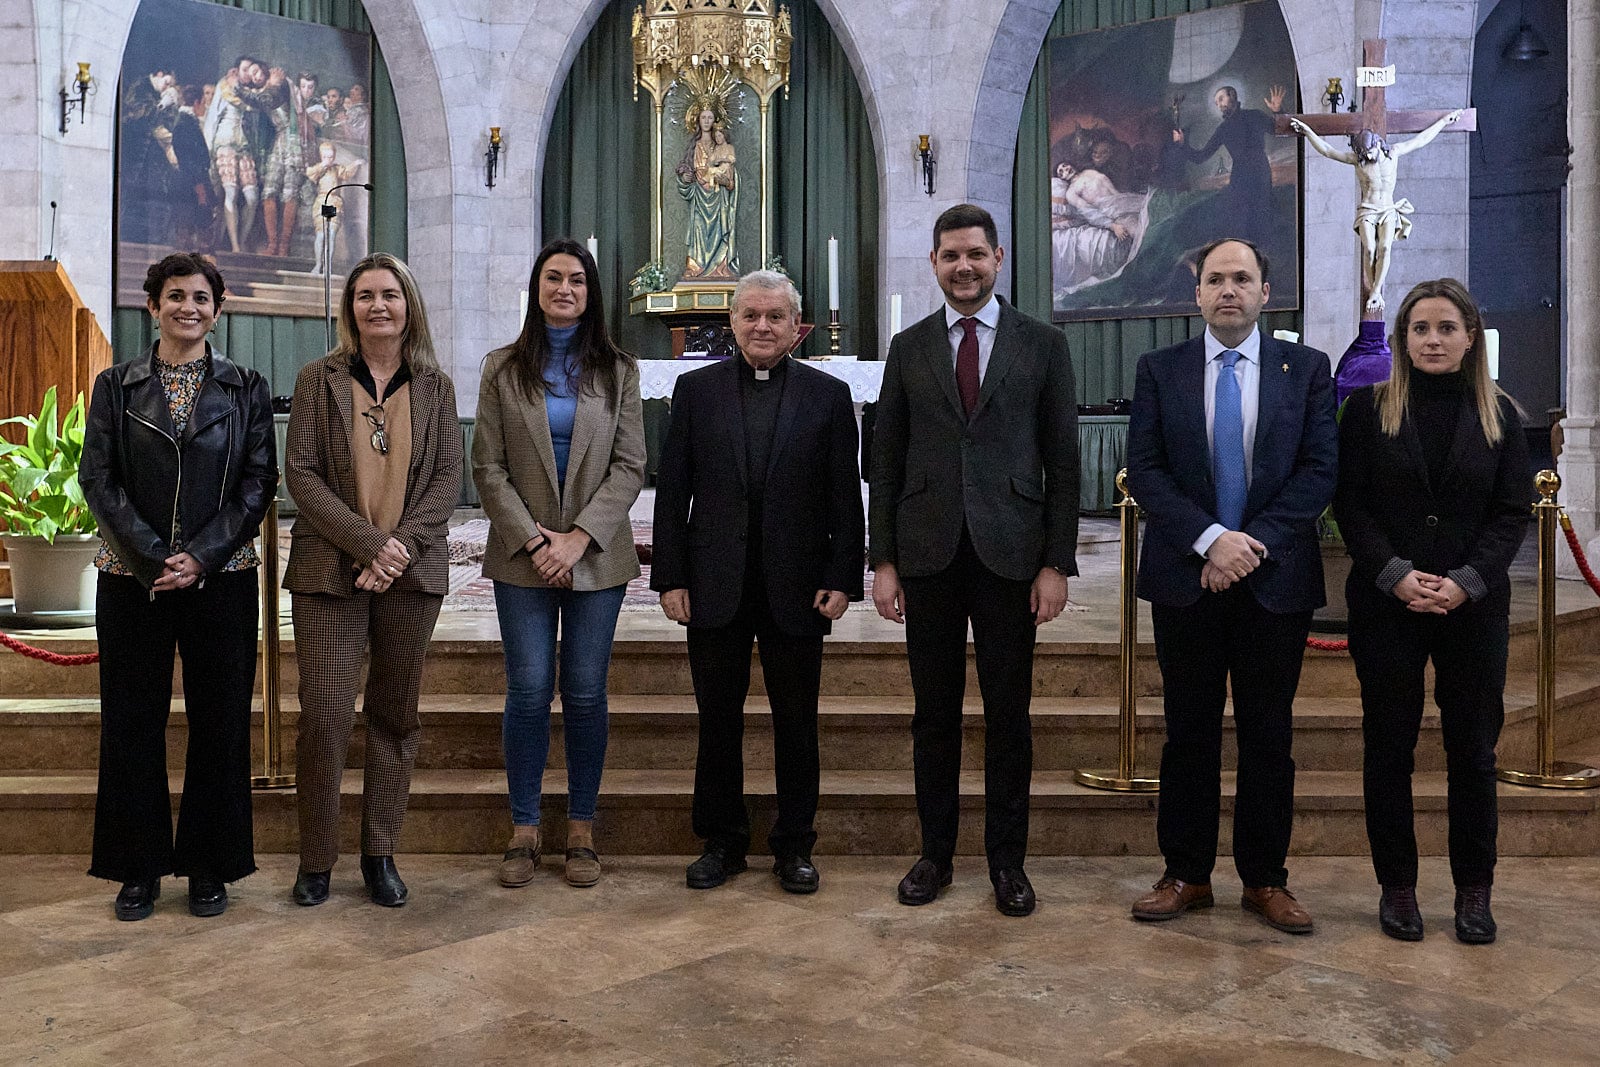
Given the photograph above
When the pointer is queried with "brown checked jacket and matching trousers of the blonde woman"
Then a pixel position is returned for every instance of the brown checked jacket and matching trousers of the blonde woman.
(335, 623)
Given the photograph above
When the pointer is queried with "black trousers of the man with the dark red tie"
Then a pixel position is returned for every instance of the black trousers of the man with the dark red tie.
(938, 609)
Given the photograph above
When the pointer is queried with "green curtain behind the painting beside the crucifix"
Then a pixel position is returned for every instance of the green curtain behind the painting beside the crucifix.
(1106, 353)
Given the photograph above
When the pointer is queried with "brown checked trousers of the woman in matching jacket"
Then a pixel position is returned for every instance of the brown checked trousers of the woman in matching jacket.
(332, 636)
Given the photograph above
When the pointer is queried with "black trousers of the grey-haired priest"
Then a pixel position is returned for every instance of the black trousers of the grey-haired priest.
(793, 671)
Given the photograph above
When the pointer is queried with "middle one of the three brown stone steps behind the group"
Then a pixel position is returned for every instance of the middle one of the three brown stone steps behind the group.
(463, 732)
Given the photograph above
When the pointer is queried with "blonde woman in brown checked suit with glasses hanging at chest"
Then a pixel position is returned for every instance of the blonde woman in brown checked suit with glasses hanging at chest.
(374, 462)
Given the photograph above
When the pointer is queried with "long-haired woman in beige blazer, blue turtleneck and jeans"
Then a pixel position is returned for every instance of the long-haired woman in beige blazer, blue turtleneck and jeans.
(559, 458)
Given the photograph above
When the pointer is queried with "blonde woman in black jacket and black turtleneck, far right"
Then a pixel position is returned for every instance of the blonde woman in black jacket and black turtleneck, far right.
(1433, 502)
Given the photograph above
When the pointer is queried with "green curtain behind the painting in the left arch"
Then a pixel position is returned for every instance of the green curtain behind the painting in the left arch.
(281, 345)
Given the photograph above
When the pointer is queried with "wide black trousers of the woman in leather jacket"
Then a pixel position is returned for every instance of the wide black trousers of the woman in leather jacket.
(214, 628)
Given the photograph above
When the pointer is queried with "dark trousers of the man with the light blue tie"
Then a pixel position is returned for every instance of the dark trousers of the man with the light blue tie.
(1204, 647)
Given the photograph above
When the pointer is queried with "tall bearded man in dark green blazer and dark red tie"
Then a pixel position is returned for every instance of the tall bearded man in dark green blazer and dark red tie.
(974, 519)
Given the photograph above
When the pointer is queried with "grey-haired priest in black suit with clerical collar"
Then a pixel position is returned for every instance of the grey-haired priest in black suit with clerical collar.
(759, 538)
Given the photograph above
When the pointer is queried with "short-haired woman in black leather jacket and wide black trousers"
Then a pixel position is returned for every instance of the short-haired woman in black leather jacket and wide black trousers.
(178, 468)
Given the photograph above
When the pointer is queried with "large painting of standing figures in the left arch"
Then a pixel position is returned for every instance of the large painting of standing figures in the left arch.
(236, 130)
